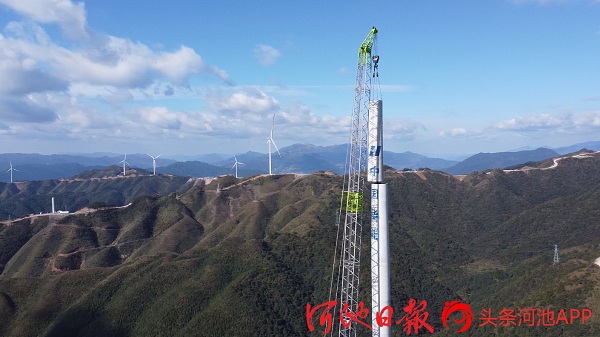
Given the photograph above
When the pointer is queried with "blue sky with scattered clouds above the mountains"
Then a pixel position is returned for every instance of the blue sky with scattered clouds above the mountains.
(191, 77)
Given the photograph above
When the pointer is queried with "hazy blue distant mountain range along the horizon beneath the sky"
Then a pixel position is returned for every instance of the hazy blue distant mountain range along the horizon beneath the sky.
(297, 158)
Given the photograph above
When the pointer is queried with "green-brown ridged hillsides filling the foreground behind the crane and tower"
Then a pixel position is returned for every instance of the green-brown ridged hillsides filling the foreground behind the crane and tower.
(246, 259)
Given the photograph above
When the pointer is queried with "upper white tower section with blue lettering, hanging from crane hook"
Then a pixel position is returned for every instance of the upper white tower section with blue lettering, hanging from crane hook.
(375, 142)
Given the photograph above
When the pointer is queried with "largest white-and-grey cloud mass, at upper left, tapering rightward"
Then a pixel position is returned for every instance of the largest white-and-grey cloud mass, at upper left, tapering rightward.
(92, 67)
